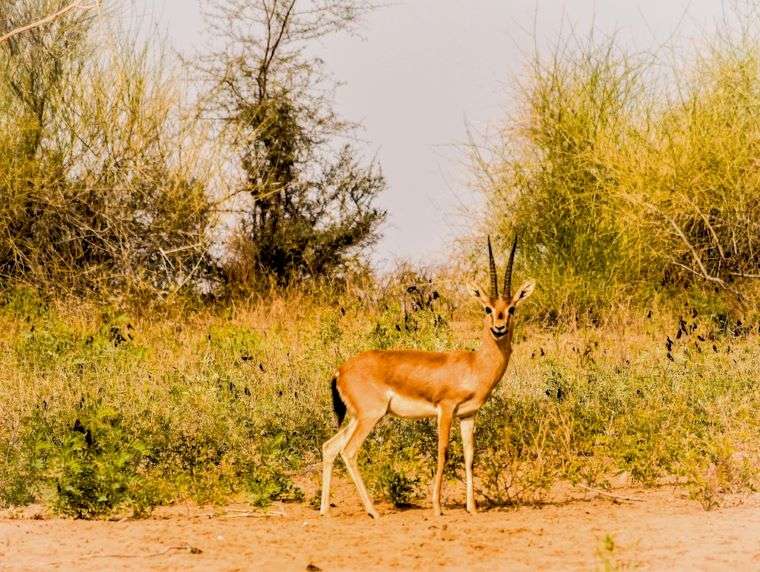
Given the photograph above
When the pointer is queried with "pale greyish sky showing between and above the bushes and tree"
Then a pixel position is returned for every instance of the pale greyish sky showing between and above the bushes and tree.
(426, 69)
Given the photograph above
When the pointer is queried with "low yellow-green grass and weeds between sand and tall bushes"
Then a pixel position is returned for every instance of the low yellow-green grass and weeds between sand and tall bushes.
(103, 411)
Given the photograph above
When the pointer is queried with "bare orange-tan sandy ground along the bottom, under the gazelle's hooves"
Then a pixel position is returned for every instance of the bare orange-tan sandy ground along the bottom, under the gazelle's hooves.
(664, 531)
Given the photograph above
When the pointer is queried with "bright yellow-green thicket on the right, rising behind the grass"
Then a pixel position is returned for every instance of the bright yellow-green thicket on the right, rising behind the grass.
(626, 185)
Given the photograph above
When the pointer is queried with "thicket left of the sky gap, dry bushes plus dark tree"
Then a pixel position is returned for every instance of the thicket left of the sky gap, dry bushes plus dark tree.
(113, 182)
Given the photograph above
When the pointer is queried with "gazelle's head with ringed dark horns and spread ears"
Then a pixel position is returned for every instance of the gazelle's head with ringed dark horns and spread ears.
(500, 308)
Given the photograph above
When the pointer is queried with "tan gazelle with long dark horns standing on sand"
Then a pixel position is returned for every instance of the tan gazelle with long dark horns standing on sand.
(417, 384)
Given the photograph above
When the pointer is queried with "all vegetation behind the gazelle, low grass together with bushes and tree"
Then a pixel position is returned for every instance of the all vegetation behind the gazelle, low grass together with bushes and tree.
(149, 356)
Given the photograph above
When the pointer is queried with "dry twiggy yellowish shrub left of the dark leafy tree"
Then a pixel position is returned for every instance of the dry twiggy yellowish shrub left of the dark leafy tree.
(103, 183)
